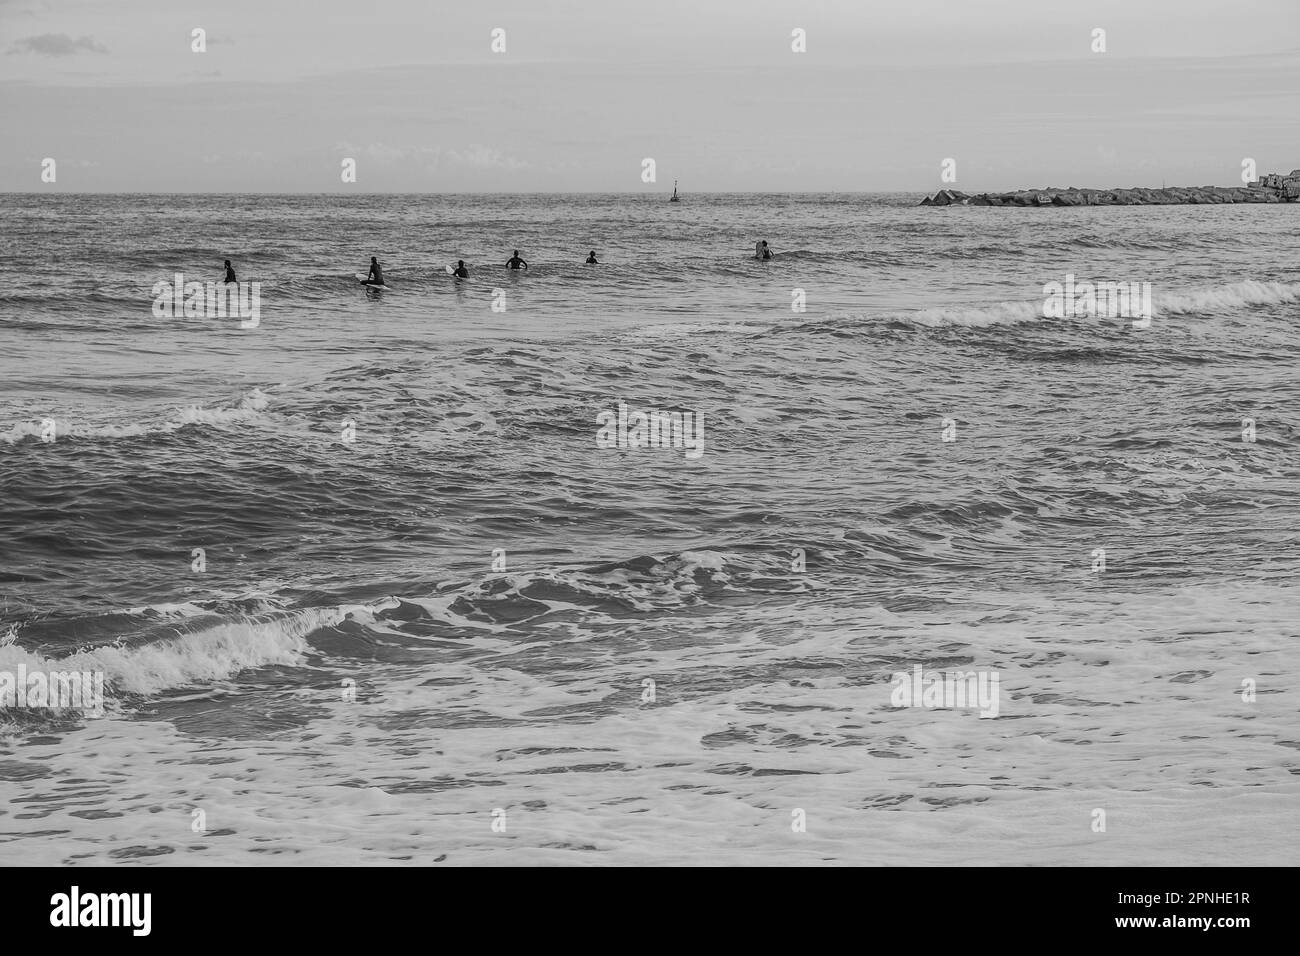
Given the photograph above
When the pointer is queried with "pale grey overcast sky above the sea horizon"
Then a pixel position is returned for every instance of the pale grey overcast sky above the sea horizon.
(586, 92)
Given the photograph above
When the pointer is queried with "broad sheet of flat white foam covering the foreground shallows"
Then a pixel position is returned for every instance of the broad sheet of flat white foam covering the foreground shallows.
(1128, 704)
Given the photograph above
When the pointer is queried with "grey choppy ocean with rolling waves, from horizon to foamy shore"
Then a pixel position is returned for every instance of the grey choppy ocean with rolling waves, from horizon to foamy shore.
(365, 585)
